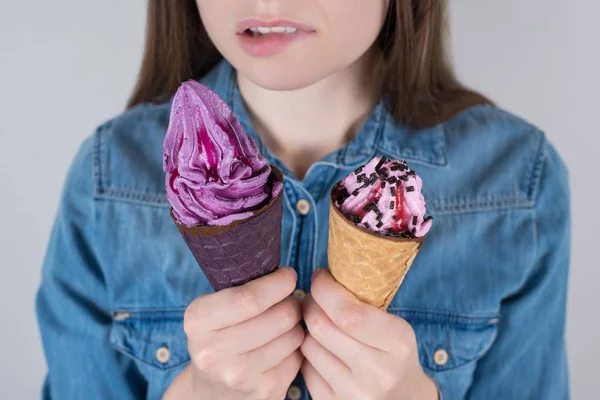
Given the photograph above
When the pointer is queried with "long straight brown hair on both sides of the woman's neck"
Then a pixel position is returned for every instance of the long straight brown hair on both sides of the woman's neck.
(415, 74)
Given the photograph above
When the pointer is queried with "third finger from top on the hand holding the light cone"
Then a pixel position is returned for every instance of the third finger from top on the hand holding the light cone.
(331, 368)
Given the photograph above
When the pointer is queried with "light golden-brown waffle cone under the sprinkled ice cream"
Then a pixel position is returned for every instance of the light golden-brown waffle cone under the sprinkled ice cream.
(372, 267)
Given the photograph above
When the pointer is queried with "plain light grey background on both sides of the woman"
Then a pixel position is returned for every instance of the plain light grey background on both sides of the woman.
(68, 65)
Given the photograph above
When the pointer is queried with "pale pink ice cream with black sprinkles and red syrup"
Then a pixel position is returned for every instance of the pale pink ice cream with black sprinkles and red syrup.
(384, 197)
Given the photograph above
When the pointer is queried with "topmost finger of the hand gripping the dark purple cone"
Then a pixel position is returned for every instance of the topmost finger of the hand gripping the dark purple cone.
(234, 305)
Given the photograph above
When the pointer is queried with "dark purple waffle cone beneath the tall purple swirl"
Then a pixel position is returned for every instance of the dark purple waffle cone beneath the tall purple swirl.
(244, 250)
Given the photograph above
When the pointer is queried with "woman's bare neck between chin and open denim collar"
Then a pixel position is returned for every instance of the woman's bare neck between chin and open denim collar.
(302, 126)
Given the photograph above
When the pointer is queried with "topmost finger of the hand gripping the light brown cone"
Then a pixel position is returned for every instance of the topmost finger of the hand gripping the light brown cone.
(363, 322)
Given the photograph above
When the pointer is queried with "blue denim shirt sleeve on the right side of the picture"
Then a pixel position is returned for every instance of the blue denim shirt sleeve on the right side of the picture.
(528, 359)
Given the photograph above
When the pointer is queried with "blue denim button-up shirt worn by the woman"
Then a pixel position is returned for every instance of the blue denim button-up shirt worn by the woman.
(486, 295)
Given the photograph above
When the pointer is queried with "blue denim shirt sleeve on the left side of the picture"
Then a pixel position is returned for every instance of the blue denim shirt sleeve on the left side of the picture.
(72, 304)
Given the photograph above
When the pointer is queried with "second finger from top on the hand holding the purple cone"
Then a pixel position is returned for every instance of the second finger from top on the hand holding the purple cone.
(262, 329)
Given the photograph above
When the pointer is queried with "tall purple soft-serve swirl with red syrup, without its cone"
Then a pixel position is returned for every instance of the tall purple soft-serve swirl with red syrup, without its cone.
(214, 172)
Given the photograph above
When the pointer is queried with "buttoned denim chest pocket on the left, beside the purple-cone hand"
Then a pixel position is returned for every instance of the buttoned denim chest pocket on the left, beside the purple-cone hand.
(155, 341)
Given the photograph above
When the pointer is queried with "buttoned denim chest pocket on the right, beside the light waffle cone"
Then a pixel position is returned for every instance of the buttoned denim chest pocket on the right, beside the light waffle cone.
(450, 346)
